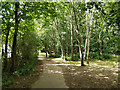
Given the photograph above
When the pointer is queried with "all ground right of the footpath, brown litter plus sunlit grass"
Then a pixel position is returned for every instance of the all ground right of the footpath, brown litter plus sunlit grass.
(98, 74)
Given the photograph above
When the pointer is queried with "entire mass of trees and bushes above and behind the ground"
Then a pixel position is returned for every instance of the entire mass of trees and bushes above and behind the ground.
(74, 31)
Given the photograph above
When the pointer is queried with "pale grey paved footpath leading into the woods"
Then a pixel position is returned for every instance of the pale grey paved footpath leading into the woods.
(51, 77)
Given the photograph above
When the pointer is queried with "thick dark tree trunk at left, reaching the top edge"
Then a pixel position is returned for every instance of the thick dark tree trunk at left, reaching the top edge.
(15, 37)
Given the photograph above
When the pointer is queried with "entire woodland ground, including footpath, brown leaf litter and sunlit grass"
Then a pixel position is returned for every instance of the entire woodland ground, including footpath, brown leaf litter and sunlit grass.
(69, 74)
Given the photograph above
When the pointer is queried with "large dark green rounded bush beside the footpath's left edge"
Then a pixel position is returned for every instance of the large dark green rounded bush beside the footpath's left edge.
(28, 51)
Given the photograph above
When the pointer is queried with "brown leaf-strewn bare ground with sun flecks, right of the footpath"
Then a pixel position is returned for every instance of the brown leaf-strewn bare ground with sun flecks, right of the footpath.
(94, 76)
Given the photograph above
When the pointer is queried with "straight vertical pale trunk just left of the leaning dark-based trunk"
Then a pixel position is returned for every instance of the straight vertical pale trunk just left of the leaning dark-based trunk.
(71, 24)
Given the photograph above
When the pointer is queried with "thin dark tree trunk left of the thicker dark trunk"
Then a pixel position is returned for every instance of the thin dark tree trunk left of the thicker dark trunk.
(6, 44)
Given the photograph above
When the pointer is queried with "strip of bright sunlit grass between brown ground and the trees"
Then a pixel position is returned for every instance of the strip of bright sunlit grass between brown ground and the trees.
(106, 63)
